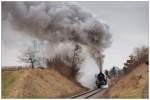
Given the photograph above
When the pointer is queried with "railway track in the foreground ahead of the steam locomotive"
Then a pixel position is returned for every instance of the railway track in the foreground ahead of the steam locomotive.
(87, 94)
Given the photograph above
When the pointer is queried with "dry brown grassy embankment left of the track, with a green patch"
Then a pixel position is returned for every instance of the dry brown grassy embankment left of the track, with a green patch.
(37, 83)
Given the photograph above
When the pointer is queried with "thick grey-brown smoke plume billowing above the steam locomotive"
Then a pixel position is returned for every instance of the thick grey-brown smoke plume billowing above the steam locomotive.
(59, 22)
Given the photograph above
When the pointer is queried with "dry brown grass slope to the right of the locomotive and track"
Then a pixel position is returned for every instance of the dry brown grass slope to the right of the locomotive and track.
(133, 85)
